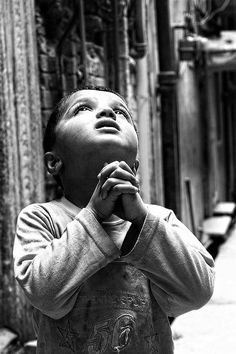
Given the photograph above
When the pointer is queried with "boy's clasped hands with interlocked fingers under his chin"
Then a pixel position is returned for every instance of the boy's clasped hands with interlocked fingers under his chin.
(117, 192)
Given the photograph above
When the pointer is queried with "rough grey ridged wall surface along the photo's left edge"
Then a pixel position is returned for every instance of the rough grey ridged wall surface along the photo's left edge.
(21, 170)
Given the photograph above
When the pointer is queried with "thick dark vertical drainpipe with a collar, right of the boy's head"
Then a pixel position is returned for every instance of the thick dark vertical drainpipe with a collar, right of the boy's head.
(167, 91)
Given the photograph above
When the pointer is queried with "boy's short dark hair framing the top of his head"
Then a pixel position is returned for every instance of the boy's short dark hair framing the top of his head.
(56, 115)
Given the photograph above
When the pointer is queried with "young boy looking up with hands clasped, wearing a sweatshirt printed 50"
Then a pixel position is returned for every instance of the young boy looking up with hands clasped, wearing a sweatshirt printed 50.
(102, 269)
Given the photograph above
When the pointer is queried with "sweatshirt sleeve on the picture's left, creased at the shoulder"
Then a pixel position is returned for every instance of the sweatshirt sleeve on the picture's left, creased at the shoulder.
(51, 270)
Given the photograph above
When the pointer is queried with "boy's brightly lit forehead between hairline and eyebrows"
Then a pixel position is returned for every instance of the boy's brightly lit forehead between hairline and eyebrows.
(96, 96)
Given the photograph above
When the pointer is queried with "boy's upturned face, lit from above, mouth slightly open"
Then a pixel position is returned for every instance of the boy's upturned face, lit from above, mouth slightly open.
(96, 125)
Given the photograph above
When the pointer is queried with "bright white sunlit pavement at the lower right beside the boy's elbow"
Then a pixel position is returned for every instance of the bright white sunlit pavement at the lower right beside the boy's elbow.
(212, 329)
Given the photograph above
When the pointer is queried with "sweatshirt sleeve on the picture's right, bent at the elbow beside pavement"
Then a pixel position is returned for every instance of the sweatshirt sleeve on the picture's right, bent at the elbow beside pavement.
(180, 270)
